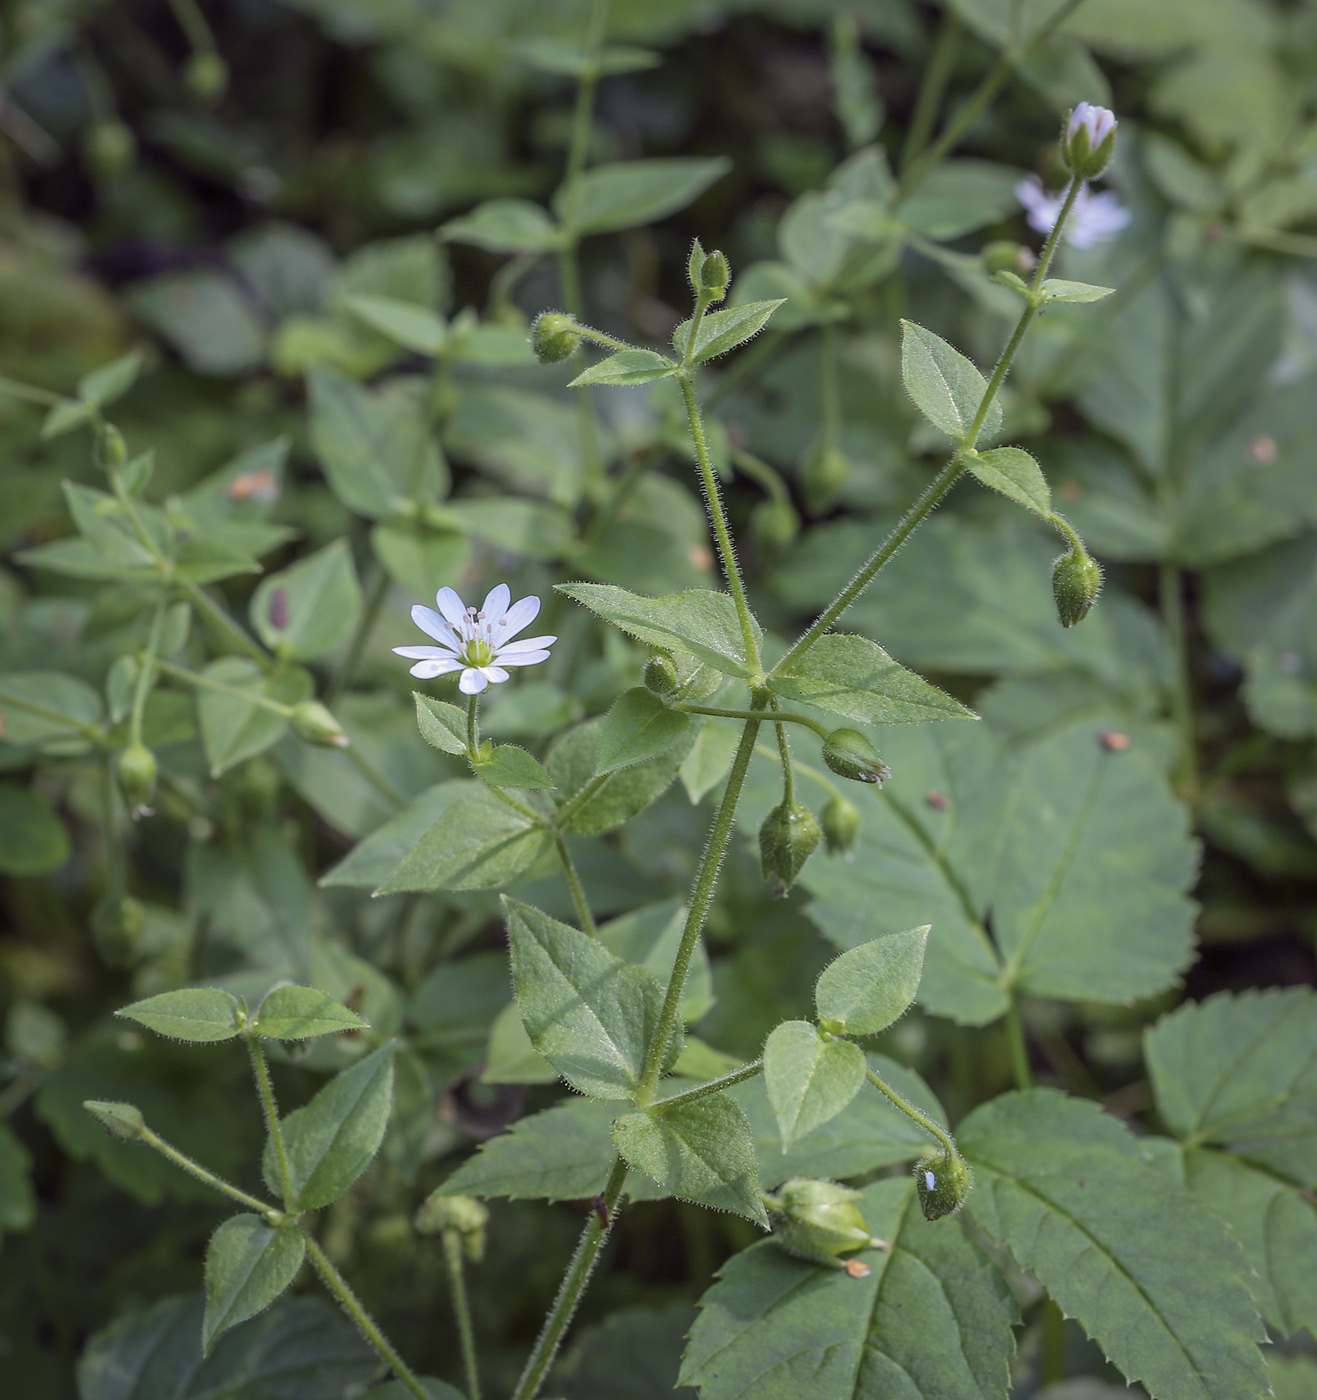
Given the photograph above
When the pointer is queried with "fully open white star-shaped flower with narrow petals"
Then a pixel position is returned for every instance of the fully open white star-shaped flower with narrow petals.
(478, 643)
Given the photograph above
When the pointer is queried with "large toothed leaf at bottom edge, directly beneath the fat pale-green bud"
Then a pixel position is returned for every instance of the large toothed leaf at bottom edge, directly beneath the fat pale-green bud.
(933, 1319)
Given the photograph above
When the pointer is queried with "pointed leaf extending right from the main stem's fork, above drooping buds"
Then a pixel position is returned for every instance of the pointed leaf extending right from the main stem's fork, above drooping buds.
(856, 678)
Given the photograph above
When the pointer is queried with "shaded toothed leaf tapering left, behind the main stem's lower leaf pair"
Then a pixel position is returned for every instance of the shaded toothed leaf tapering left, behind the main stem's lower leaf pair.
(563, 1154)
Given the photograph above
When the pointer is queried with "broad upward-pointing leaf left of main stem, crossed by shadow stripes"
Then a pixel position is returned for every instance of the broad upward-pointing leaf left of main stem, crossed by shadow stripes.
(589, 1014)
